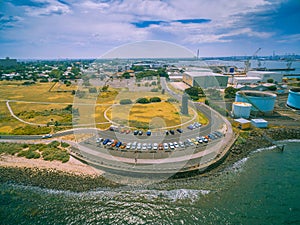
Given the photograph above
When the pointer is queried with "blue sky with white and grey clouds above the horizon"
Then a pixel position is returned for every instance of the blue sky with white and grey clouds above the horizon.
(50, 29)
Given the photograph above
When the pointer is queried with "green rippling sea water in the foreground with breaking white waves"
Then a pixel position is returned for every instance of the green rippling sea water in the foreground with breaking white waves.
(263, 188)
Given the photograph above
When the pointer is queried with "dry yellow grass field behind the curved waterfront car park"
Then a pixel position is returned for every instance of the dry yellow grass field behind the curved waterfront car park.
(41, 106)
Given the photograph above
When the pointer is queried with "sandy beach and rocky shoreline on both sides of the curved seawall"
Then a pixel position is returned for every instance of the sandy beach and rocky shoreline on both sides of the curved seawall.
(77, 176)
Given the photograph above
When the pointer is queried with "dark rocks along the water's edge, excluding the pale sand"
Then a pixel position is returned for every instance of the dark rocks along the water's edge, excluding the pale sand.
(57, 179)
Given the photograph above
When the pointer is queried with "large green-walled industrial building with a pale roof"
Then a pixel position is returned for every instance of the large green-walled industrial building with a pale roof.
(205, 79)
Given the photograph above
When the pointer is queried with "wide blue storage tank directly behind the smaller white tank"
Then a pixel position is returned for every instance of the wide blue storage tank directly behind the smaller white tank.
(262, 102)
